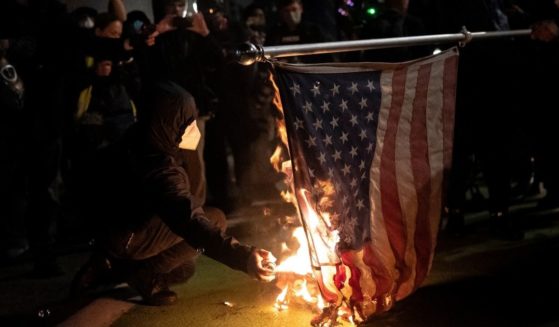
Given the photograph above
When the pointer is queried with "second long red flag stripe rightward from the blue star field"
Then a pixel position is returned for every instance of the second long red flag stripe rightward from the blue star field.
(422, 174)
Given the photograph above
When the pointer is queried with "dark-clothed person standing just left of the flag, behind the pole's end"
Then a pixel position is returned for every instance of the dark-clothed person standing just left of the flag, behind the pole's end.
(245, 114)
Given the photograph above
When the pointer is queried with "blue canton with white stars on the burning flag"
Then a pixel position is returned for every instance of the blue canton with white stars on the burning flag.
(335, 125)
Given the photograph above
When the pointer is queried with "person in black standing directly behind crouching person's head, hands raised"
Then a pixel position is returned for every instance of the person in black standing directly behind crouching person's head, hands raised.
(186, 52)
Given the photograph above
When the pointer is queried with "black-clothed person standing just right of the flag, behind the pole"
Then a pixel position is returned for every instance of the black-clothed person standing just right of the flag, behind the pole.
(483, 130)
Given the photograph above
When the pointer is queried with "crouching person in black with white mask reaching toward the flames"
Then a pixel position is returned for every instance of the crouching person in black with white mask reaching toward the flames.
(151, 228)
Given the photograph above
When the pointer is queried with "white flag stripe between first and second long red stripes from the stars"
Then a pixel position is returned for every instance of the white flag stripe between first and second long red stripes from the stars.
(405, 179)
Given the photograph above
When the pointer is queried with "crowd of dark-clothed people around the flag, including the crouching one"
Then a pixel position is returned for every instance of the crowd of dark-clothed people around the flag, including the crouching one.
(127, 123)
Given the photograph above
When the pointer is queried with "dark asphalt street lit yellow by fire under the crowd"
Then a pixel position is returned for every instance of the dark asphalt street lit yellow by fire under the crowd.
(476, 280)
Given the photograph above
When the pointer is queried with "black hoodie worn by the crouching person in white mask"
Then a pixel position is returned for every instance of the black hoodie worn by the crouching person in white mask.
(144, 179)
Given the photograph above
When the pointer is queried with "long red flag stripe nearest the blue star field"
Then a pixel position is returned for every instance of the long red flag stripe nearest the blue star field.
(390, 204)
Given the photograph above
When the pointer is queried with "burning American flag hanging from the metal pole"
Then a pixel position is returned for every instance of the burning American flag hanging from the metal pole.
(370, 144)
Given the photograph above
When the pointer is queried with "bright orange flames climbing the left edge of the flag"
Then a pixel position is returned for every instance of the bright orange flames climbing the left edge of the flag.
(294, 272)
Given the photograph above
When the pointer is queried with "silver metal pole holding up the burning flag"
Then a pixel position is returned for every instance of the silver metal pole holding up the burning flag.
(249, 53)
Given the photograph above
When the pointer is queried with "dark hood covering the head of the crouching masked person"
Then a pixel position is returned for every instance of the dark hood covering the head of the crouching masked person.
(170, 109)
